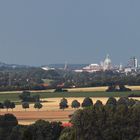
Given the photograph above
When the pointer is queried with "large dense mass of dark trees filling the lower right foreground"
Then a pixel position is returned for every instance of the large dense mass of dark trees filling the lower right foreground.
(116, 120)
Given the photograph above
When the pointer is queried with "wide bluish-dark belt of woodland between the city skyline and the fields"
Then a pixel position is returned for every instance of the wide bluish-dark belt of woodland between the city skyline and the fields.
(32, 78)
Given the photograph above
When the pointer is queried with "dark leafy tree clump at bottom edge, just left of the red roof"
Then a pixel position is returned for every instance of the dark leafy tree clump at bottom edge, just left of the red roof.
(43, 130)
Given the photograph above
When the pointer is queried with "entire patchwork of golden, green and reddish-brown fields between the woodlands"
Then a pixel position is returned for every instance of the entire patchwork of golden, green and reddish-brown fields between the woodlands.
(50, 110)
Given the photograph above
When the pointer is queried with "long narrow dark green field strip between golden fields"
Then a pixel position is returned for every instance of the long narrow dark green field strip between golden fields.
(15, 96)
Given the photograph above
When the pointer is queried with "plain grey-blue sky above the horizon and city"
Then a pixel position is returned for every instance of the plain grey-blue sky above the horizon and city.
(39, 32)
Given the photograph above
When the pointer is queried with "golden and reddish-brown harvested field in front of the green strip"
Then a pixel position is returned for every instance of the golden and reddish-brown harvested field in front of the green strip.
(50, 110)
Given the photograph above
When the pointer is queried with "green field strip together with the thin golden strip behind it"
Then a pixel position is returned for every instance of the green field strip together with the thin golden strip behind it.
(74, 92)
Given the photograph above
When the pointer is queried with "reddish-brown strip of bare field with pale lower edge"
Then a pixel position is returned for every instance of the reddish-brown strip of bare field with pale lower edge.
(28, 117)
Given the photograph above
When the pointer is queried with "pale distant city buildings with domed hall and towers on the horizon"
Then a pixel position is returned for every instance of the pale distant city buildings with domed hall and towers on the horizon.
(105, 65)
